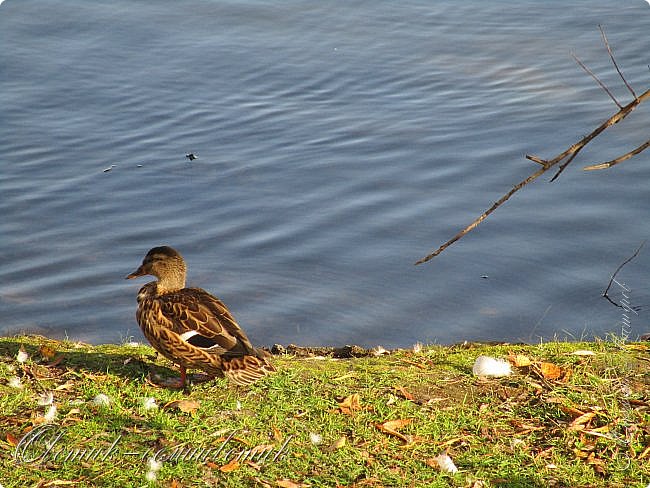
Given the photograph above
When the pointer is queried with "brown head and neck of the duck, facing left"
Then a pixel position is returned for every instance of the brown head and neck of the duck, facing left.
(166, 264)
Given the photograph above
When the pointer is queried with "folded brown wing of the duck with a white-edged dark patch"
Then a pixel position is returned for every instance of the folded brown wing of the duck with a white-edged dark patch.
(203, 321)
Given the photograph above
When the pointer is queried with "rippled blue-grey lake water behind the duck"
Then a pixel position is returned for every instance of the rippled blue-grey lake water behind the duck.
(338, 143)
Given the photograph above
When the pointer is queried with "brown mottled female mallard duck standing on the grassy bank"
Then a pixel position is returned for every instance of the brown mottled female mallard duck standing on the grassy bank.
(191, 327)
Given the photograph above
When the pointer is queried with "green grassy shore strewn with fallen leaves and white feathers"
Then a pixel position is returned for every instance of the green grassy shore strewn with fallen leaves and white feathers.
(570, 415)
